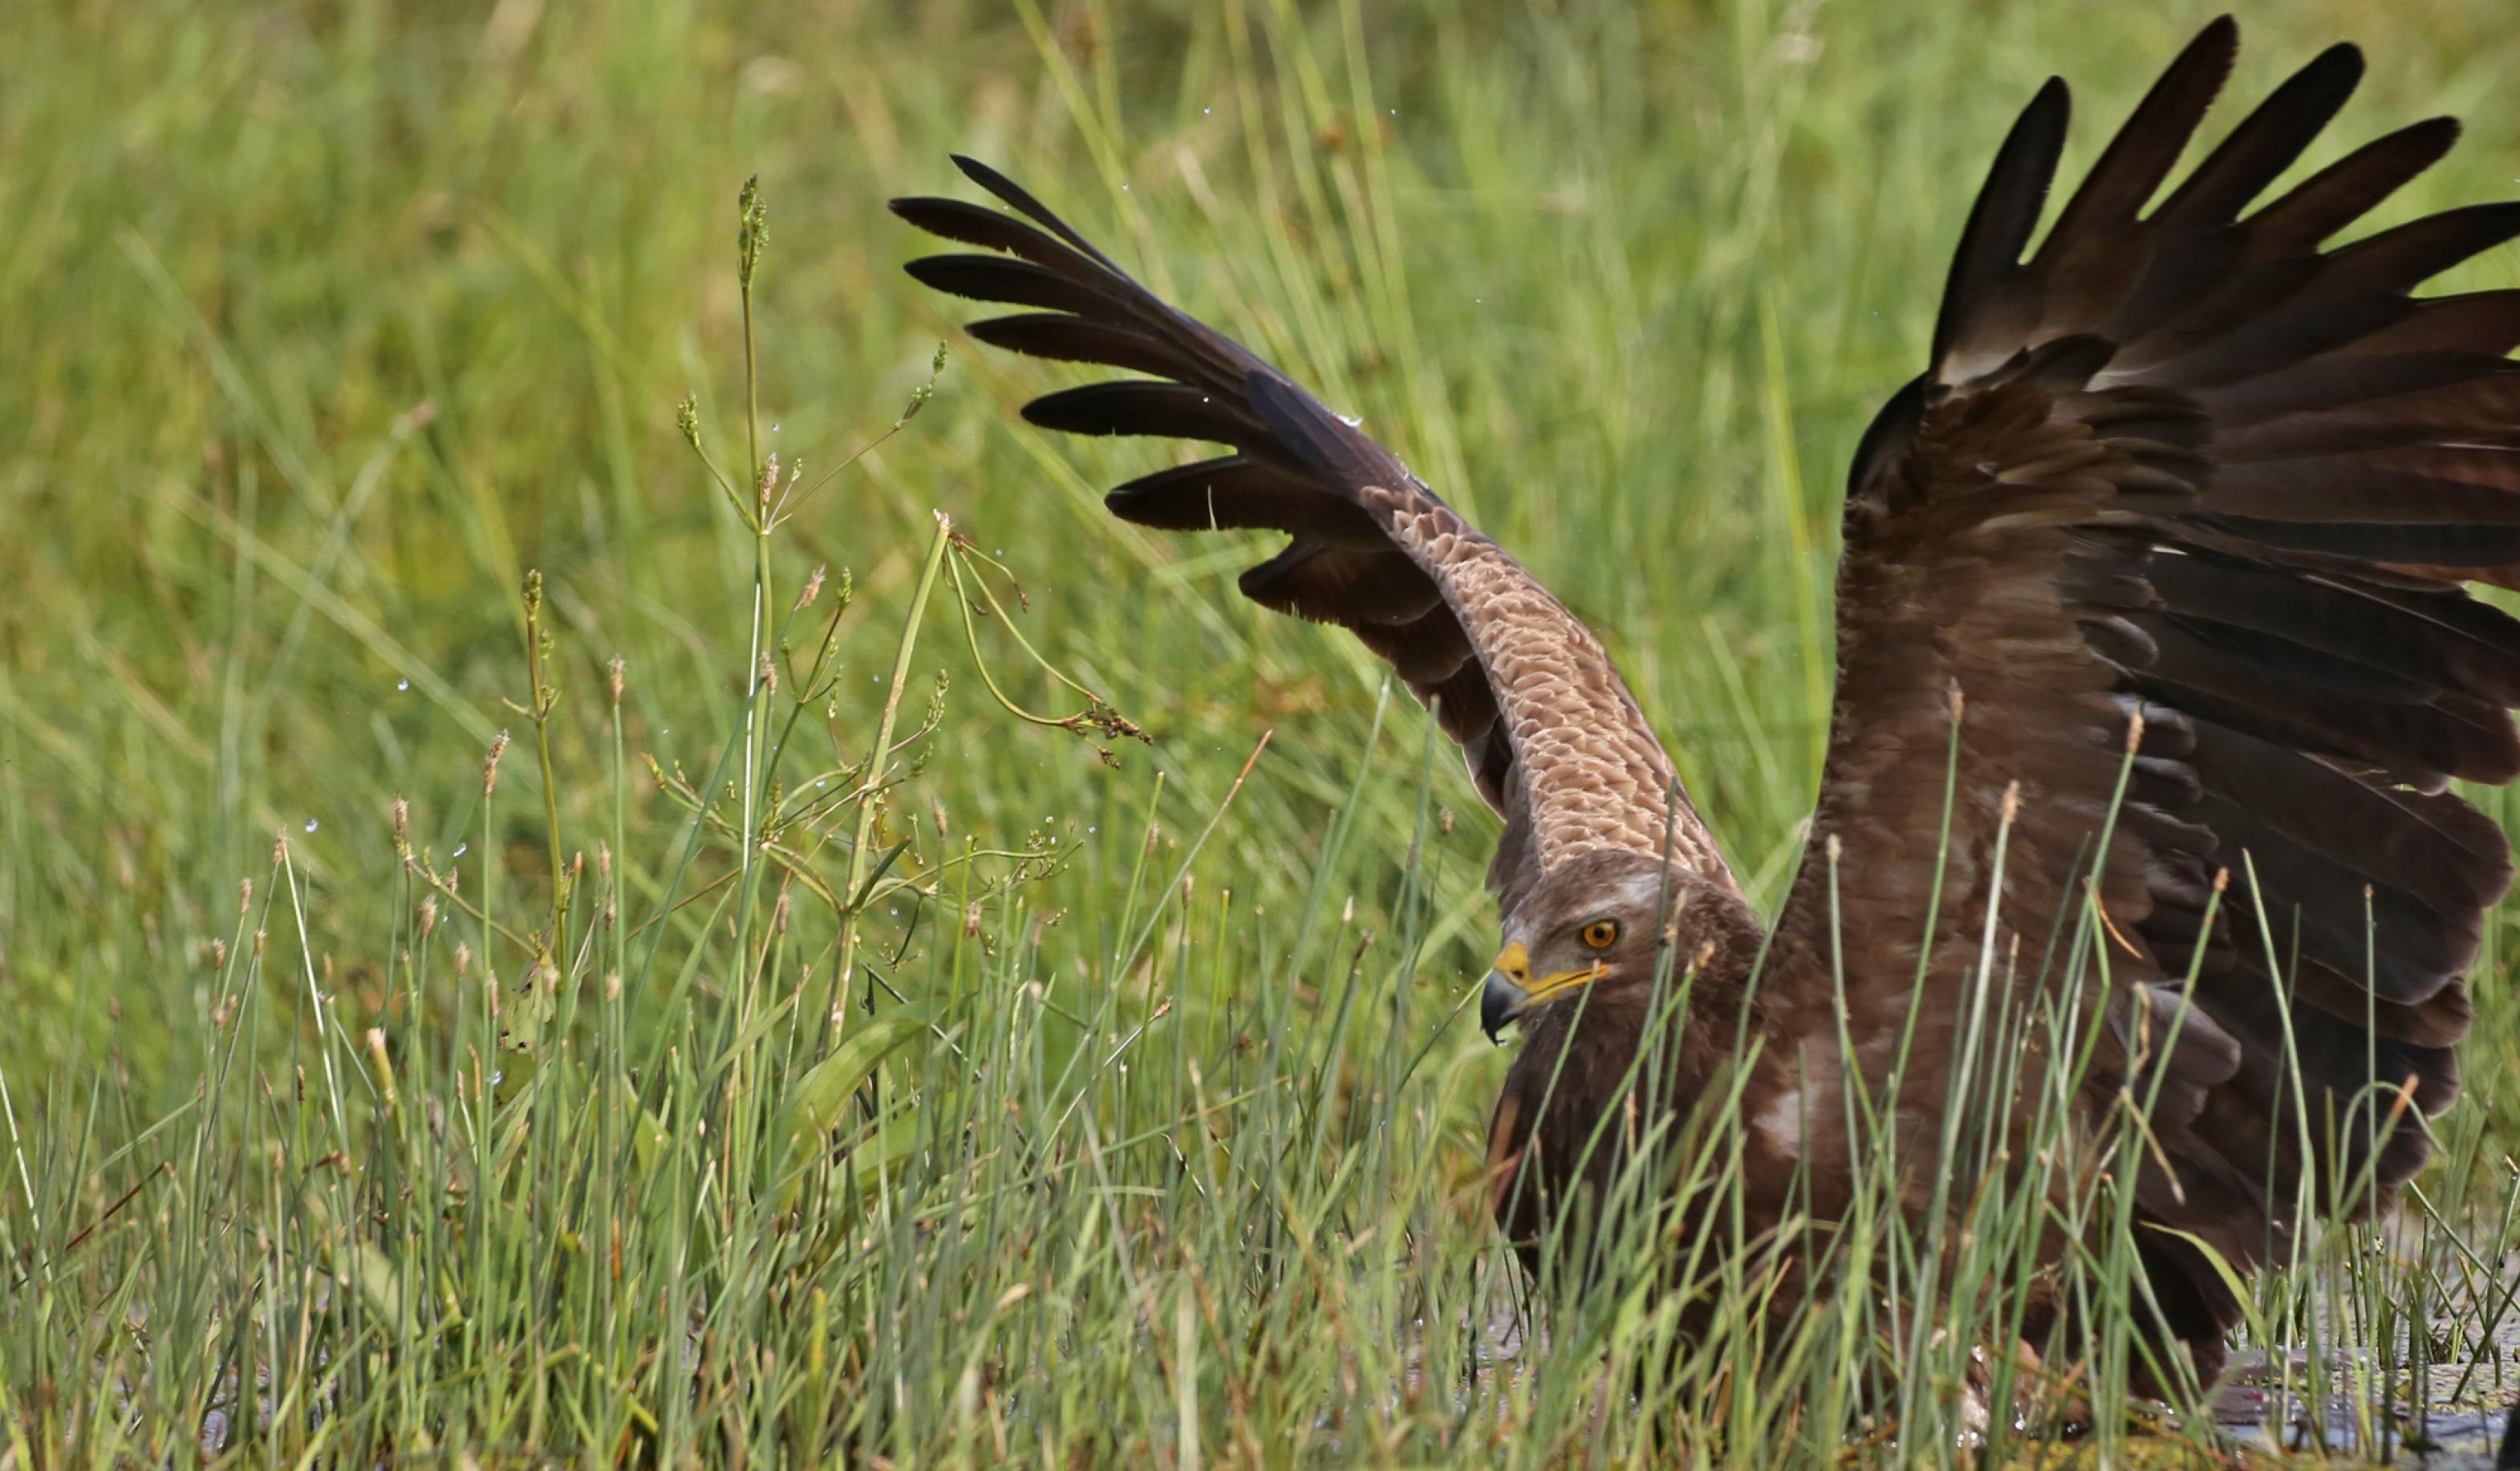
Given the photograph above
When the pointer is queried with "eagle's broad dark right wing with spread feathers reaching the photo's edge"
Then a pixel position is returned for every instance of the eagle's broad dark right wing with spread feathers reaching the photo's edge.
(2191, 467)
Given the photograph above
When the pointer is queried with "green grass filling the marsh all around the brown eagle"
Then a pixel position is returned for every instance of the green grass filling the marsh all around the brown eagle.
(1155, 1130)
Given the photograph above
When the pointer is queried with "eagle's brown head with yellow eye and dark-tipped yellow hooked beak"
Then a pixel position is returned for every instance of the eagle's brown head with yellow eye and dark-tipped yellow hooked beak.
(1601, 923)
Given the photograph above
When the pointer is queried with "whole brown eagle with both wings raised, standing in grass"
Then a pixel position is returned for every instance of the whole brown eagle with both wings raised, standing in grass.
(2153, 608)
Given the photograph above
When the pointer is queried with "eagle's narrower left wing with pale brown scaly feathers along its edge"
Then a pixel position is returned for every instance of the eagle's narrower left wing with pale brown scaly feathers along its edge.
(1549, 729)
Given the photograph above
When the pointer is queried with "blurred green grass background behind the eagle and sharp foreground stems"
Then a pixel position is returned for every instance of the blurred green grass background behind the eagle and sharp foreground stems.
(321, 324)
